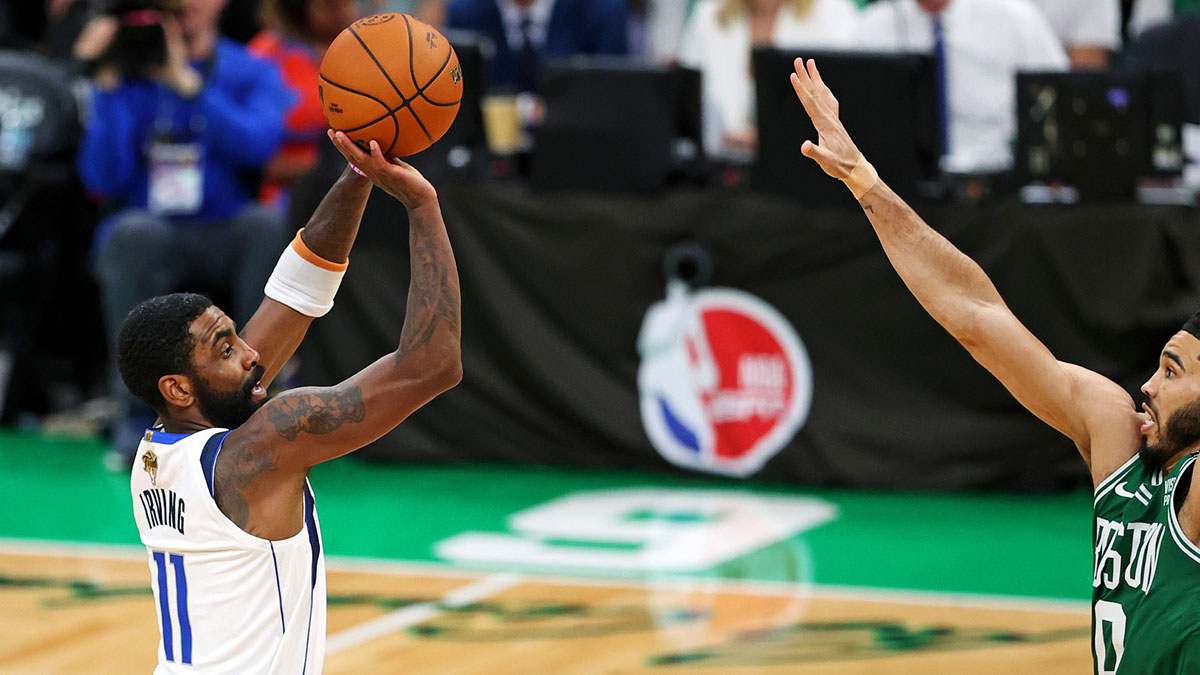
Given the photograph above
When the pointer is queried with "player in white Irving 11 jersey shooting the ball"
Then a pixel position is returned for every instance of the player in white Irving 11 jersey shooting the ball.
(220, 486)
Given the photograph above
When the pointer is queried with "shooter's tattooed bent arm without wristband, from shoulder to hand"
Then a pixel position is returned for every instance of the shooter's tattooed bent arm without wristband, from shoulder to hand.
(261, 469)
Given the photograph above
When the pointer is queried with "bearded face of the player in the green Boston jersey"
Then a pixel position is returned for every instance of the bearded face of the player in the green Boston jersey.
(1172, 416)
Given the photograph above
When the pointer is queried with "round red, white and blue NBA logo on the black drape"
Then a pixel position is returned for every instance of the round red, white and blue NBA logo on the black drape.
(724, 381)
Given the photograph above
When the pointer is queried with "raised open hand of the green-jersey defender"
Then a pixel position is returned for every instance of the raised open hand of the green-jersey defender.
(835, 151)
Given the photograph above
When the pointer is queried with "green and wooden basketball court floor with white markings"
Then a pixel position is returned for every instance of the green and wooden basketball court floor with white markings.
(465, 570)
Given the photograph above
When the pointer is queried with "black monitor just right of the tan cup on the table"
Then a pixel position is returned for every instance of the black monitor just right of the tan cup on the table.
(616, 126)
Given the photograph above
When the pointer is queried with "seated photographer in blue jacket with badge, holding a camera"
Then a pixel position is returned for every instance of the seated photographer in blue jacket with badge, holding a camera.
(181, 127)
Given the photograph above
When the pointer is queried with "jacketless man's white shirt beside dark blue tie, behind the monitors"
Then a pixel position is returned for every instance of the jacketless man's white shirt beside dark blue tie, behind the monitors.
(987, 44)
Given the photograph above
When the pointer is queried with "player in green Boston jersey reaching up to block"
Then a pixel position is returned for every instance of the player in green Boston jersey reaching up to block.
(1147, 580)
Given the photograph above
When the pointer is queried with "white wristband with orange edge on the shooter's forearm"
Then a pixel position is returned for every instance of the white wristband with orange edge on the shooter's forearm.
(305, 282)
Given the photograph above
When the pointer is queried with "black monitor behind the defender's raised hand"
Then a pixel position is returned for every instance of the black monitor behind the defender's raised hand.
(887, 104)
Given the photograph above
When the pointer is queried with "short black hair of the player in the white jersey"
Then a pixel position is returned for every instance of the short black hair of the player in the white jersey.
(155, 342)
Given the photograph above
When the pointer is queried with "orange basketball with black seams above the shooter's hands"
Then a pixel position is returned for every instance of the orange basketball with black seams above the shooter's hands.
(394, 80)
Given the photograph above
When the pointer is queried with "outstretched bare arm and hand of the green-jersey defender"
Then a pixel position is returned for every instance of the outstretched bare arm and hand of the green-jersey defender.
(1091, 410)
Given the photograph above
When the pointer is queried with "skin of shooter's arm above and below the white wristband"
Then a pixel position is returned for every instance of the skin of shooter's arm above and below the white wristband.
(277, 330)
